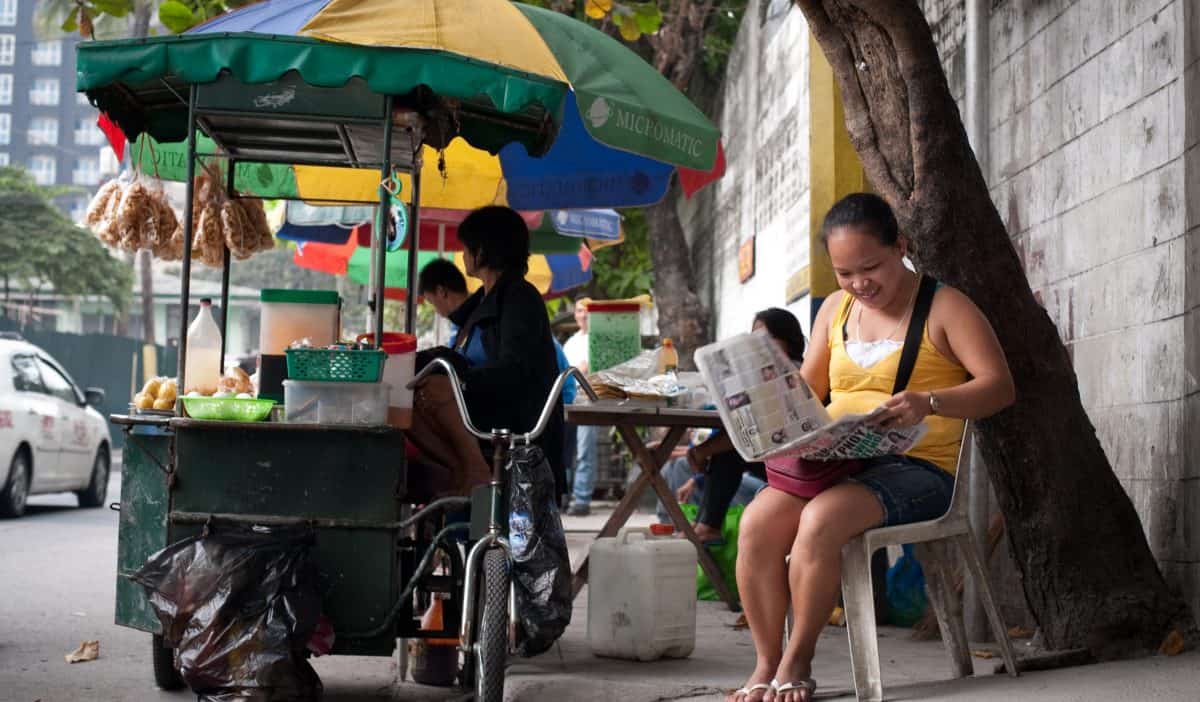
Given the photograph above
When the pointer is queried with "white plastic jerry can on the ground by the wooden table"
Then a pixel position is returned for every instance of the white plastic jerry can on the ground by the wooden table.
(643, 597)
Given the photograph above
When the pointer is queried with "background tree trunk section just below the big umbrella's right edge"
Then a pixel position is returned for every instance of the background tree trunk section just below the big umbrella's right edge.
(682, 316)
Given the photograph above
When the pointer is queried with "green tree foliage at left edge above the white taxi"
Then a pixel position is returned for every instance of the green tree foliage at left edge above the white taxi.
(41, 248)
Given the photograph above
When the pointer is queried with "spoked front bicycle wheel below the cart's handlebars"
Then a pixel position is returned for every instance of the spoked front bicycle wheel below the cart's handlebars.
(493, 632)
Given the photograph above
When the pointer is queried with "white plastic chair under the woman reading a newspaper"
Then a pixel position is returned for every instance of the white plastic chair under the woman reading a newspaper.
(934, 543)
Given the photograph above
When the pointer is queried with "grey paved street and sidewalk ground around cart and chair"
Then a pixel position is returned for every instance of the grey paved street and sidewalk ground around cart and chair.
(58, 589)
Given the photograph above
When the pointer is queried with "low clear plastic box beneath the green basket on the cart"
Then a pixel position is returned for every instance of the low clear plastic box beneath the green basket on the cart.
(315, 403)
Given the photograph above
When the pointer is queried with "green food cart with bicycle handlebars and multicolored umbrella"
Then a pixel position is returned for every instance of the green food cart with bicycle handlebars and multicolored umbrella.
(315, 112)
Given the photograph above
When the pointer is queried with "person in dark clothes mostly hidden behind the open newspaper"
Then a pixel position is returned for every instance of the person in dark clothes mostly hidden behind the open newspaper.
(716, 463)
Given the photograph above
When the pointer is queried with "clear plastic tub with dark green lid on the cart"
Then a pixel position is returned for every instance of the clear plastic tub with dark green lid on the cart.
(290, 316)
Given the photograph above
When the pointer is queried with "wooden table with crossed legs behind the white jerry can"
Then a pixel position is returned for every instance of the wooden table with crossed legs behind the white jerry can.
(627, 418)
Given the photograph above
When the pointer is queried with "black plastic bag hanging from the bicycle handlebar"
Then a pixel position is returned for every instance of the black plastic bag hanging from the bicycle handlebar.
(542, 567)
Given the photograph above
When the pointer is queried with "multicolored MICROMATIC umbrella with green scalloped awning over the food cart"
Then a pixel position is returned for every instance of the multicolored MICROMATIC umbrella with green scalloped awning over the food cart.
(527, 107)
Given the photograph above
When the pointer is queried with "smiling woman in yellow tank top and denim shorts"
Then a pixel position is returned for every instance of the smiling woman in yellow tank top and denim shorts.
(854, 358)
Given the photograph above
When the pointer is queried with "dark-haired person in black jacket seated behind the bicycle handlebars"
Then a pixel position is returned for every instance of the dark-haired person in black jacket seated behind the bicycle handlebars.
(503, 352)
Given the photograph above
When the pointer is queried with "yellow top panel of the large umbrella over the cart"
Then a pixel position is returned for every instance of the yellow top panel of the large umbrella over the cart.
(488, 31)
